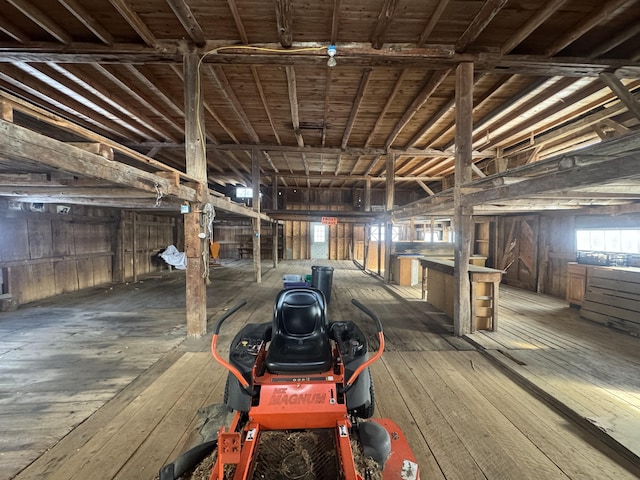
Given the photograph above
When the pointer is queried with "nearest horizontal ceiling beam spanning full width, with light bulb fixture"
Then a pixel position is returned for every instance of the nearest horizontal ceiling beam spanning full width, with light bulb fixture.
(351, 54)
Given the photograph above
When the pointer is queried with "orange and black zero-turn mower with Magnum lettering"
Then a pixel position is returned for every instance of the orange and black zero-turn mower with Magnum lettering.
(303, 397)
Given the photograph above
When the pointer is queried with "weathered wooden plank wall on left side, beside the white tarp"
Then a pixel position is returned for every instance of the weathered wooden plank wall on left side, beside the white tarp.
(45, 253)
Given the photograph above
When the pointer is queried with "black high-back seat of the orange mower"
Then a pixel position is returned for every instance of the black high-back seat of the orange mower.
(300, 338)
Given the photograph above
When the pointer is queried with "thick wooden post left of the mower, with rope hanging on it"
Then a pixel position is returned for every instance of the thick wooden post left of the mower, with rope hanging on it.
(196, 163)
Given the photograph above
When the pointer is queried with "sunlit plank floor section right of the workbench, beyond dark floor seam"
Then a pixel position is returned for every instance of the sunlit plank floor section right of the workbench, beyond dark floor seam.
(587, 368)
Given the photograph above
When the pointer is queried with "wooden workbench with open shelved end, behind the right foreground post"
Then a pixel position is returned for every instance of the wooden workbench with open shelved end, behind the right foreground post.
(438, 282)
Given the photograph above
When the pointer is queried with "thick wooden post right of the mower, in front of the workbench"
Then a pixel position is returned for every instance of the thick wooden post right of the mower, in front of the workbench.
(462, 216)
